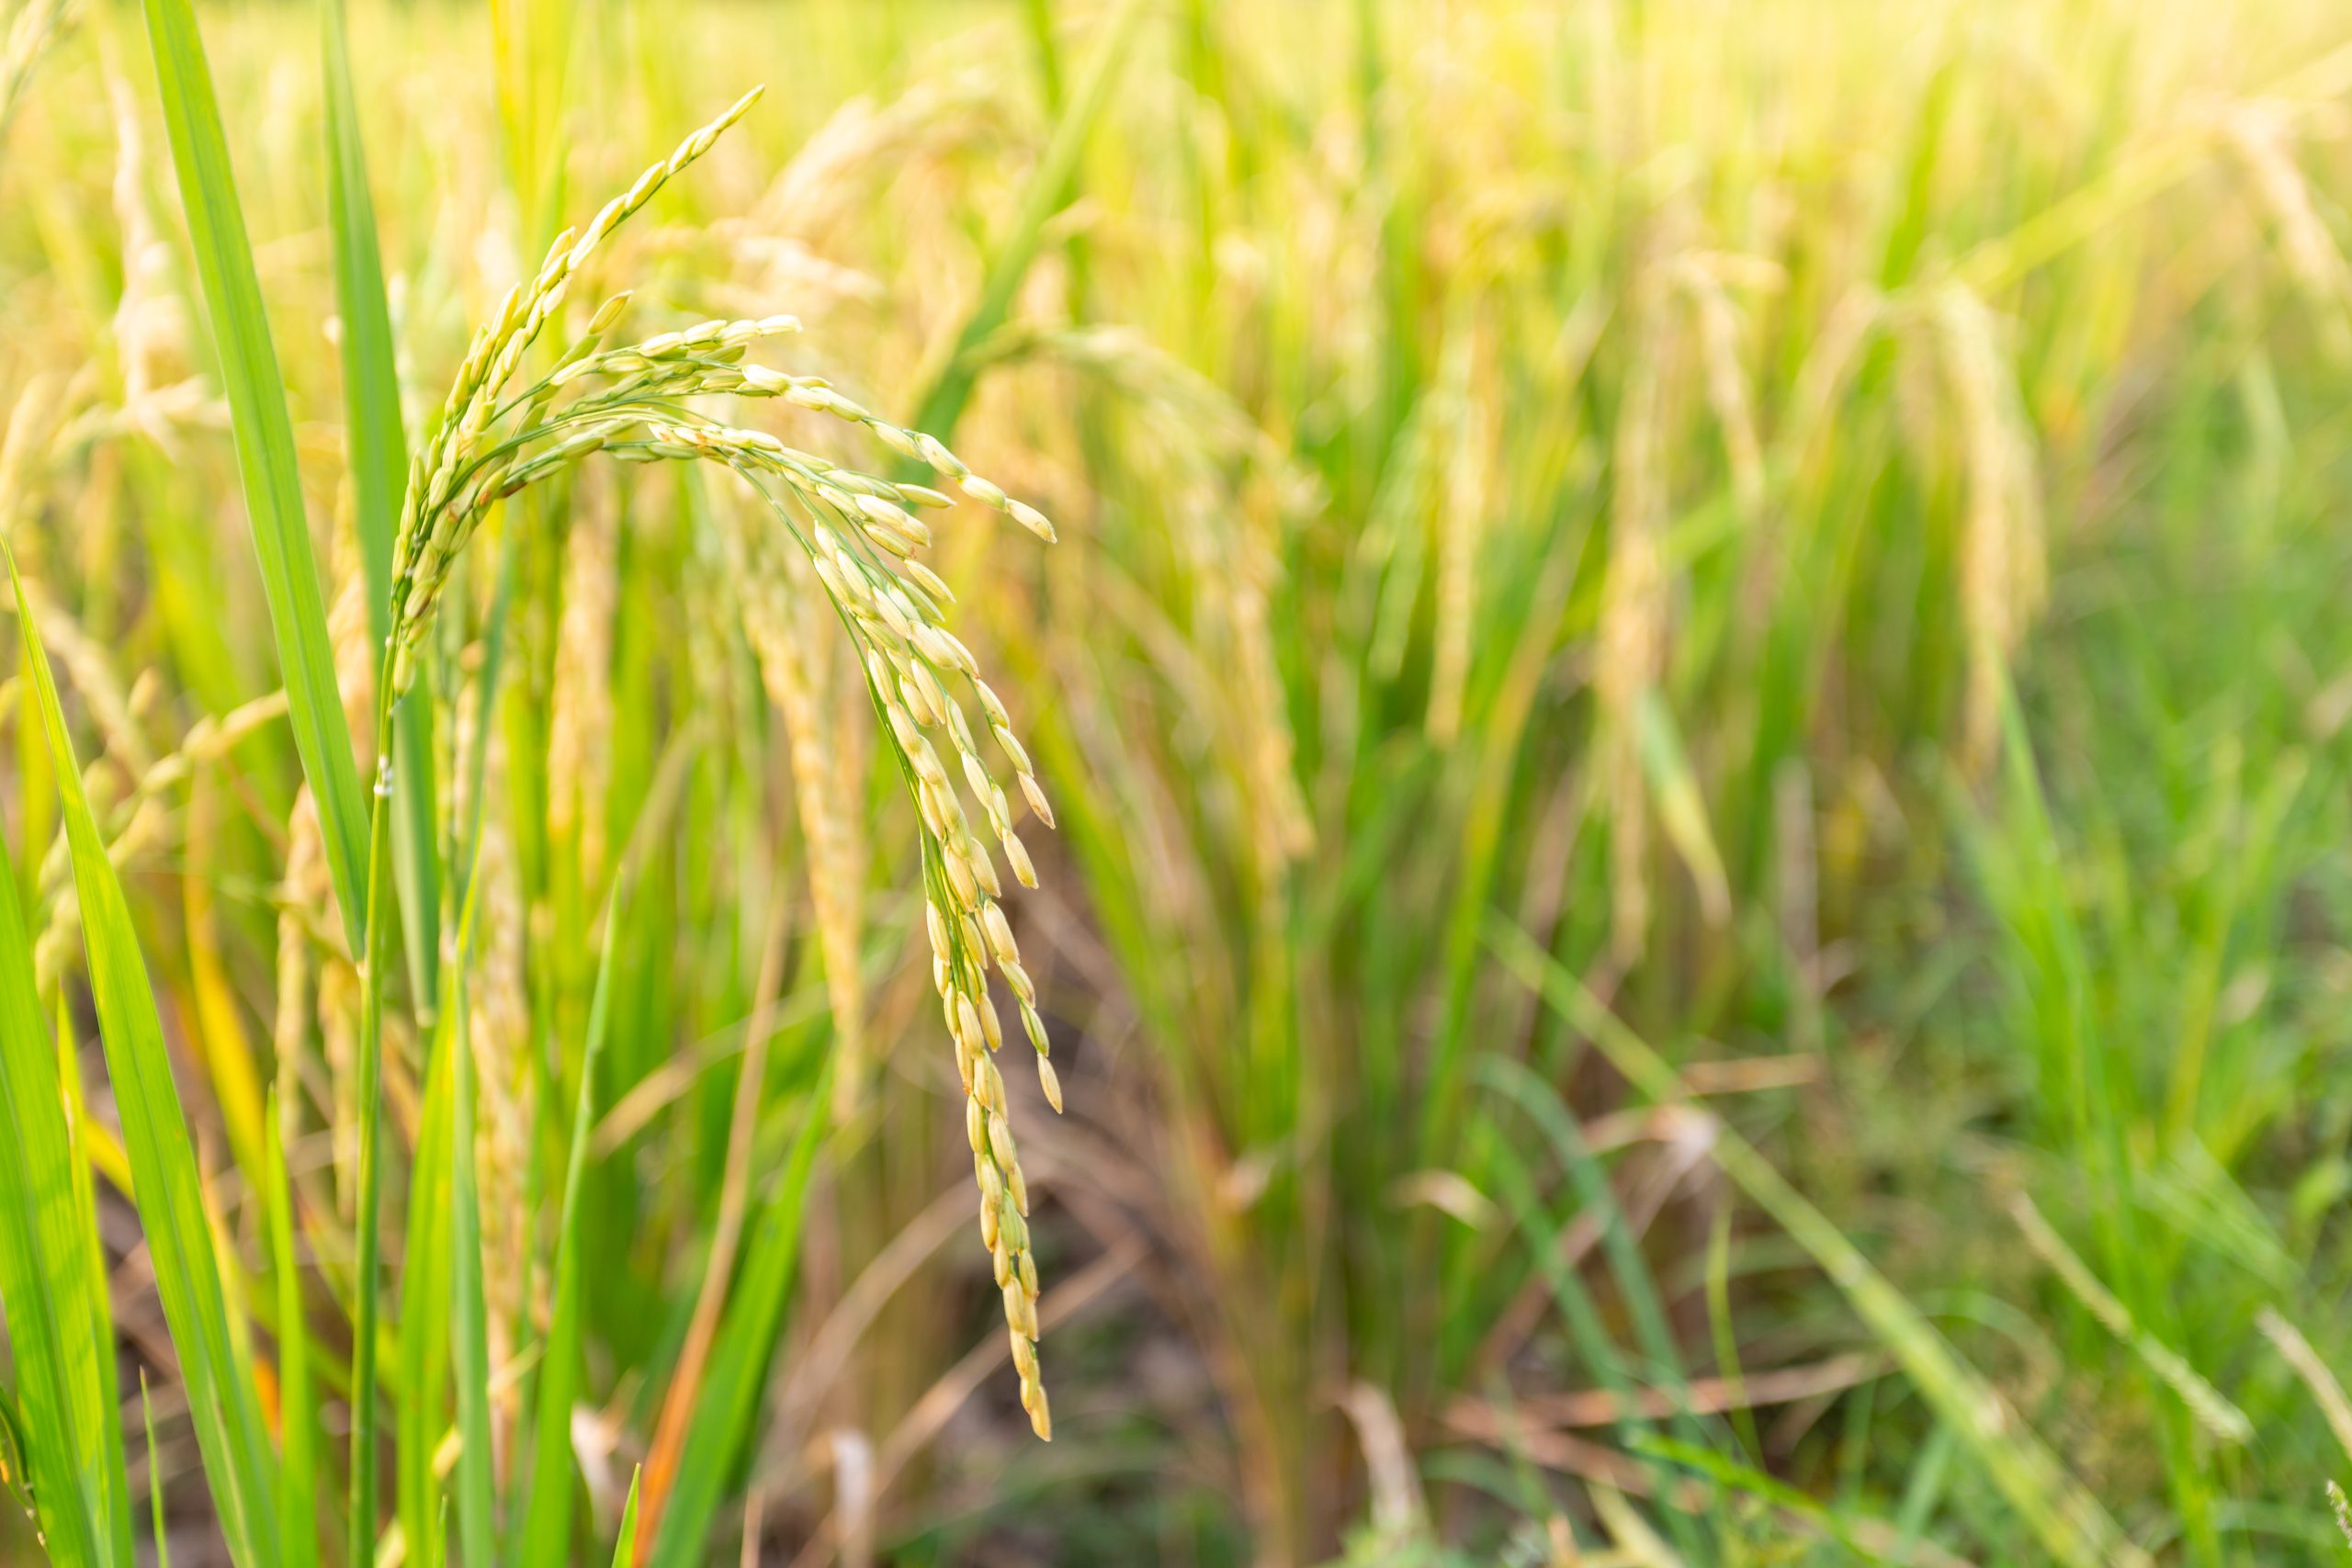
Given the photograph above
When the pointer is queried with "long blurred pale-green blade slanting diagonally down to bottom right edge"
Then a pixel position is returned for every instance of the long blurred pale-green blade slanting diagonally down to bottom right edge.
(2050, 1501)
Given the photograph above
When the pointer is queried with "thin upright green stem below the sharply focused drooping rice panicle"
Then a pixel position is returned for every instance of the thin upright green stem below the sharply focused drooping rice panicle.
(363, 1320)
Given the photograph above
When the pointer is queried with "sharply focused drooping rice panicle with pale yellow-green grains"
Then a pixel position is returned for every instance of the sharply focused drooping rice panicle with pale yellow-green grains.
(862, 537)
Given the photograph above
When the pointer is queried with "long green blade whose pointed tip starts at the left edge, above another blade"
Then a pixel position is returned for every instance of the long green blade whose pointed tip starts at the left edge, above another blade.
(163, 1158)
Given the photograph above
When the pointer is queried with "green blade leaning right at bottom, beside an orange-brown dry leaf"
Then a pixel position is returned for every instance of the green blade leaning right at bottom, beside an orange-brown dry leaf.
(737, 1376)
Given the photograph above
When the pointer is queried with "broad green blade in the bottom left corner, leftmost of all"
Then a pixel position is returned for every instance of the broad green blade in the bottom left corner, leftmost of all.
(53, 1282)
